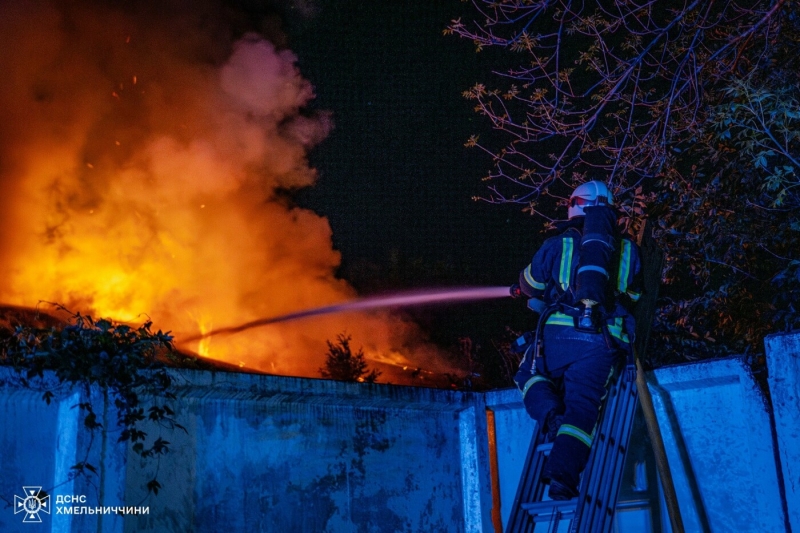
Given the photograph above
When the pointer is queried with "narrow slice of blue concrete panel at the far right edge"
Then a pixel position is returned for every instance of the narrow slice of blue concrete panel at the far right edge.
(783, 362)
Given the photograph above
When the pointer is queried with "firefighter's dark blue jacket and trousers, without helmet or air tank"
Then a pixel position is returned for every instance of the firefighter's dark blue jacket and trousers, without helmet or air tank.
(563, 390)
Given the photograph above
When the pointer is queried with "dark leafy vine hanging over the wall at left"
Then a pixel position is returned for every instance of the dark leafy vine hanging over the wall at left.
(129, 362)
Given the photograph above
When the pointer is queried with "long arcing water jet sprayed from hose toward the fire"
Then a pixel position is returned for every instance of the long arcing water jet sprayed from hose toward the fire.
(403, 299)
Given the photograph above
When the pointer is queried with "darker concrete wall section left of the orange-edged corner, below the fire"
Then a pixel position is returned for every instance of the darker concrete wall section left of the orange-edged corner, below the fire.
(261, 453)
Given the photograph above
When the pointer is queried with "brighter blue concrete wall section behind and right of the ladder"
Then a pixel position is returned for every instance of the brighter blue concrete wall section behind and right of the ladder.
(717, 431)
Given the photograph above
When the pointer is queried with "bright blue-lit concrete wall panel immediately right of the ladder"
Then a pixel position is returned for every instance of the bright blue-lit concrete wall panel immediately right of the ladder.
(717, 434)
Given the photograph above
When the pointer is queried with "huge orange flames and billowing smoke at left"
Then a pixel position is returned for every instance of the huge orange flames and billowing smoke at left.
(143, 163)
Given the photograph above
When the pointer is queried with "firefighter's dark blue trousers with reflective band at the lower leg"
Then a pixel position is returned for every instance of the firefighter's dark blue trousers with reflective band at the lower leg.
(567, 387)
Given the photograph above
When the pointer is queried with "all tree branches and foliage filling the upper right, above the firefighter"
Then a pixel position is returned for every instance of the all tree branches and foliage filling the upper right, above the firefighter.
(687, 109)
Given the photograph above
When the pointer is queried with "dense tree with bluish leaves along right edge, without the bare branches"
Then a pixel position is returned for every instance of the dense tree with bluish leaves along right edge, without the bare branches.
(728, 210)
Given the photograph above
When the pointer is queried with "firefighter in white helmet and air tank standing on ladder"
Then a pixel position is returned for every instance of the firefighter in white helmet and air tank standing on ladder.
(583, 284)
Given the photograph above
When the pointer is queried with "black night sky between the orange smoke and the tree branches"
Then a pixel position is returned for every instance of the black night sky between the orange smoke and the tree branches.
(396, 181)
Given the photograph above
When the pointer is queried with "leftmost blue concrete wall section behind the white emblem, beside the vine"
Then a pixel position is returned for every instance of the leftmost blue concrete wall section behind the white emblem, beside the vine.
(40, 444)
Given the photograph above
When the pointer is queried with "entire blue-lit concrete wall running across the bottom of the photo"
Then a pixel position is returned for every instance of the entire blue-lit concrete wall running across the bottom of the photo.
(266, 453)
